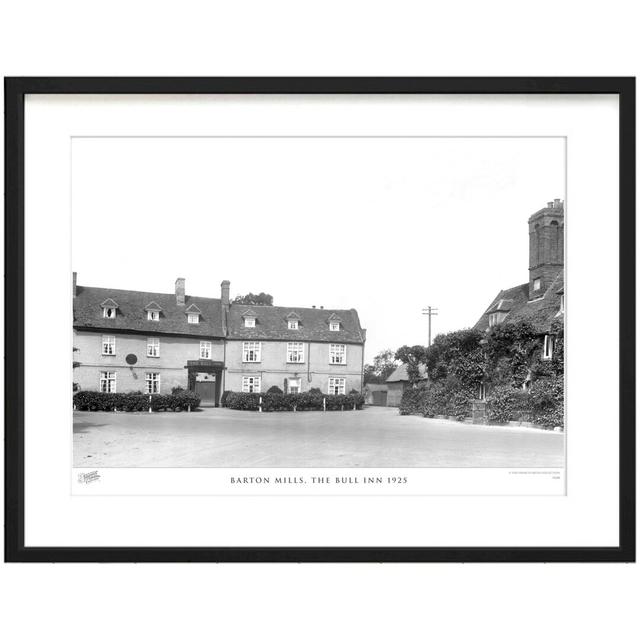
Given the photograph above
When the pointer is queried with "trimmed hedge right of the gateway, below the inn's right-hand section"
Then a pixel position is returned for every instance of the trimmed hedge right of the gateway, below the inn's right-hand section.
(308, 401)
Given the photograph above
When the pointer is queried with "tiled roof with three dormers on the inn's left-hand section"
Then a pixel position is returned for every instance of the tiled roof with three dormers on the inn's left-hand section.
(132, 316)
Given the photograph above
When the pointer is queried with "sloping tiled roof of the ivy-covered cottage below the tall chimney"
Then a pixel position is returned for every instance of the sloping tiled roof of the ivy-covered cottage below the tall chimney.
(540, 312)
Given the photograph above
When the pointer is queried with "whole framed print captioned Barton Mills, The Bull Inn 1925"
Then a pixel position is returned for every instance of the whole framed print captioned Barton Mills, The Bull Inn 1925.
(320, 319)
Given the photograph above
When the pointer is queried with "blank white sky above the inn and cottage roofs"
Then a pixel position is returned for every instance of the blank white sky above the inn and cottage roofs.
(387, 226)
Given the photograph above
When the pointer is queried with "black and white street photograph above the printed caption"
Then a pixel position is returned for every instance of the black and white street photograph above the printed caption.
(318, 302)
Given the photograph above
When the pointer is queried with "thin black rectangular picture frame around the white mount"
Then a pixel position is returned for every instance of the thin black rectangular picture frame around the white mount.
(15, 91)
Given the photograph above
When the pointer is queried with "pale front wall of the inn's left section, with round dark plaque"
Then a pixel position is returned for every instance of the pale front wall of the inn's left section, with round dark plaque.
(174, 353)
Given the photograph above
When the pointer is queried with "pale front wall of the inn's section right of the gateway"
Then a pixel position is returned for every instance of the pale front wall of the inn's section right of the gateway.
(314, 372)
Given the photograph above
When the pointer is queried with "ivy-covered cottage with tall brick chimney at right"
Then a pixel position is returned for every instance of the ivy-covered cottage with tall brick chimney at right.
(510, 365)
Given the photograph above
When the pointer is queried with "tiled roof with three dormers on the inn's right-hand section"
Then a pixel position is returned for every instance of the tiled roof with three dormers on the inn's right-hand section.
(271, 324)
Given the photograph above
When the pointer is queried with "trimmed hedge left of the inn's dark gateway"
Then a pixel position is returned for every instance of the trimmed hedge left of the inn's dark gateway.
(98, 401)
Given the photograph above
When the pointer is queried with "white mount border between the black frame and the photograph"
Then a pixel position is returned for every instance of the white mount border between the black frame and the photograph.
(587, 516)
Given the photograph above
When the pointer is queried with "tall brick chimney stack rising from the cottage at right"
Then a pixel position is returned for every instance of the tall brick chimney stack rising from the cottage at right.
(546, 247)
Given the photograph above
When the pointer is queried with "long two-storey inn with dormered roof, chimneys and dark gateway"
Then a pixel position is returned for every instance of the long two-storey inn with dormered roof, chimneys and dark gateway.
(152, 342)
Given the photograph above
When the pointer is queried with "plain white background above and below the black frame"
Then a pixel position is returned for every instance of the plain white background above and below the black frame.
(329, 38)
